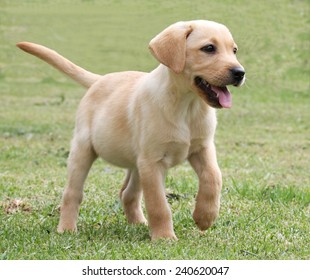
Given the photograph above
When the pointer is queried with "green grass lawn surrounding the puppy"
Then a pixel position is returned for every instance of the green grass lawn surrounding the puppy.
(263, 142)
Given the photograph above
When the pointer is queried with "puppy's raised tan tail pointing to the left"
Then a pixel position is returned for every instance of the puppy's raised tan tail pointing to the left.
(78, 74)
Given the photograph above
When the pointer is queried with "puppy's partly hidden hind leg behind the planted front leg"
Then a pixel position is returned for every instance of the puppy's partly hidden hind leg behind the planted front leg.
(131, 196)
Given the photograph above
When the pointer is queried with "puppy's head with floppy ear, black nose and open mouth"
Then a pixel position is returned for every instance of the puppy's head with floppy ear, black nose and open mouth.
(205, 53)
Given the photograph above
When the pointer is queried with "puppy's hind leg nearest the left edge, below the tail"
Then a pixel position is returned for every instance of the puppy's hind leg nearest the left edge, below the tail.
(80, 160)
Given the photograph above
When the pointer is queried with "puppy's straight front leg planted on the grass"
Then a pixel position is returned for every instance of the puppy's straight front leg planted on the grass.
(152, 177)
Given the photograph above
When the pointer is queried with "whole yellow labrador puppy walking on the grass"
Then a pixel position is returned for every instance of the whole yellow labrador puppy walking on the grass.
(149, 122)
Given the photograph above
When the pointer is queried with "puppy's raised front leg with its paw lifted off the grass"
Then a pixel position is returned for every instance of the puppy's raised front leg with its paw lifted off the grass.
(207, 207)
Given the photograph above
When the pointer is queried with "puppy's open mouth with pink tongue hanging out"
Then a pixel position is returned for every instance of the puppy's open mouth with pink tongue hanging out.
(217, 97)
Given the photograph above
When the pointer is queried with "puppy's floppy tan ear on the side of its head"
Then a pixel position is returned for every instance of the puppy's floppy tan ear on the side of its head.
(169, 46)
